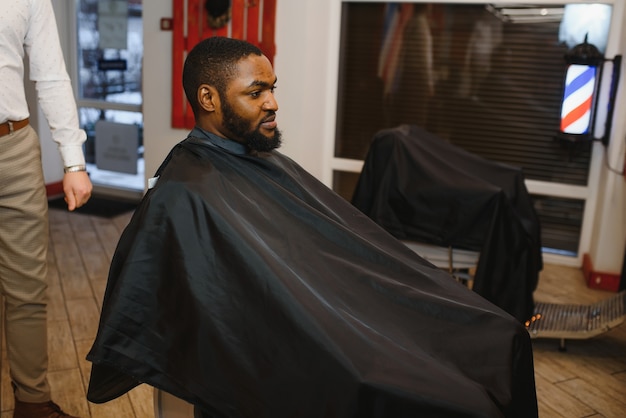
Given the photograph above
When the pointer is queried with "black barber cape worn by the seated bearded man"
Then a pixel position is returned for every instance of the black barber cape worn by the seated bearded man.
(246, 287)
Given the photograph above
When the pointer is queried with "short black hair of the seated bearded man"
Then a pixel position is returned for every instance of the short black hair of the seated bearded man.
(213, 61)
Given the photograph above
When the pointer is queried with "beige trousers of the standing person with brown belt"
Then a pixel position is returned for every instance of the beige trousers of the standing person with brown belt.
(23, 252)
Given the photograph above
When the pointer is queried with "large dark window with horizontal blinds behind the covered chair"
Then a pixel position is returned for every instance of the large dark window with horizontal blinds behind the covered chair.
(486, 78)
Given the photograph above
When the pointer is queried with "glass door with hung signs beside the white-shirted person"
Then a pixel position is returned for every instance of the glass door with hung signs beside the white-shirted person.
(109, 93)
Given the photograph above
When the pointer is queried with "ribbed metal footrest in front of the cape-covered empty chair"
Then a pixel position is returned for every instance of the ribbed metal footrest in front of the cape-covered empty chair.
(569, 321)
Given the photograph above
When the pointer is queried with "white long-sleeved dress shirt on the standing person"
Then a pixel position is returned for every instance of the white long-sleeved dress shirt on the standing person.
(29, 26)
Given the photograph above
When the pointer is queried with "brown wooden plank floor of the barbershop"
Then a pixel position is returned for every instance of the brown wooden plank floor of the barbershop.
(587, 380)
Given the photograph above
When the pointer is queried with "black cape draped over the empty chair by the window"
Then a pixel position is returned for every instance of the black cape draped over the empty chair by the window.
(422, 188)
